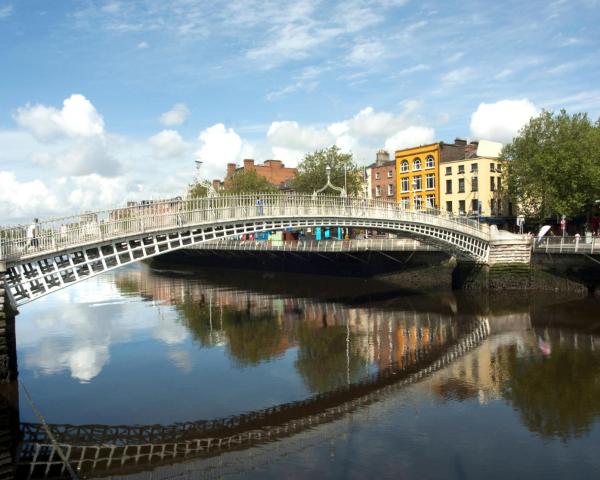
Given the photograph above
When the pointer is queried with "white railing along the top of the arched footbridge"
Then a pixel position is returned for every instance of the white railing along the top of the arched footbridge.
(87, 228)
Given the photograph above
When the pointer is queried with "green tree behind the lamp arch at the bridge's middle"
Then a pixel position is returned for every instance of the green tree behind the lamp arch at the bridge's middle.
(312, 175)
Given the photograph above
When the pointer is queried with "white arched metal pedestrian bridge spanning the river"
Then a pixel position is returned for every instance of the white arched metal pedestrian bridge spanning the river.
(64, 251)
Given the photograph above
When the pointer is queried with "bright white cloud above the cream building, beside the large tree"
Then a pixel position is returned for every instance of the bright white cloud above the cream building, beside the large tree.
(502, 120)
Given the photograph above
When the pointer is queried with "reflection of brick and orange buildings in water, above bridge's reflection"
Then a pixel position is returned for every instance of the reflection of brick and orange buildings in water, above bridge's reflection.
(383, 337)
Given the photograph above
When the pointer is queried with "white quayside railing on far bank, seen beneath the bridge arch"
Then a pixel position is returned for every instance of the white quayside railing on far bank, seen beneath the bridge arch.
(354, 245)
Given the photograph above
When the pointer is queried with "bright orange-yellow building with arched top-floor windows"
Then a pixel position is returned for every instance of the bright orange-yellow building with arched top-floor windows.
(417, 177)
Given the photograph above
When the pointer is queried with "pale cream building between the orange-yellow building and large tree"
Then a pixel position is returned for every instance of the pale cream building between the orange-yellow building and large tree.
(472, 184)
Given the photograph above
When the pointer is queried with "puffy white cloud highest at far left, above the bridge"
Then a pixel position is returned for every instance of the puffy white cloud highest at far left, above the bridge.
(77, 118)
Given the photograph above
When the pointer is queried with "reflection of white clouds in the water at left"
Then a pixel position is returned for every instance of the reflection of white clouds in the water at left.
(64, 334)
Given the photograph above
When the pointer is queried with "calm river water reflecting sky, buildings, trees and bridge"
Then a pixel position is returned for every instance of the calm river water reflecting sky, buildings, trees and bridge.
(257, 375)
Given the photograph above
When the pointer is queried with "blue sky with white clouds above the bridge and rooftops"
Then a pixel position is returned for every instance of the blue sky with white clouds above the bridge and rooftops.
(104, 101)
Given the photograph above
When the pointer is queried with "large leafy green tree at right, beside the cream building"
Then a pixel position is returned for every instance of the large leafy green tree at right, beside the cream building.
(554, 165)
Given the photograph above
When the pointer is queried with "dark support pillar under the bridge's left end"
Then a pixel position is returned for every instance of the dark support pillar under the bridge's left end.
(8, 343)
